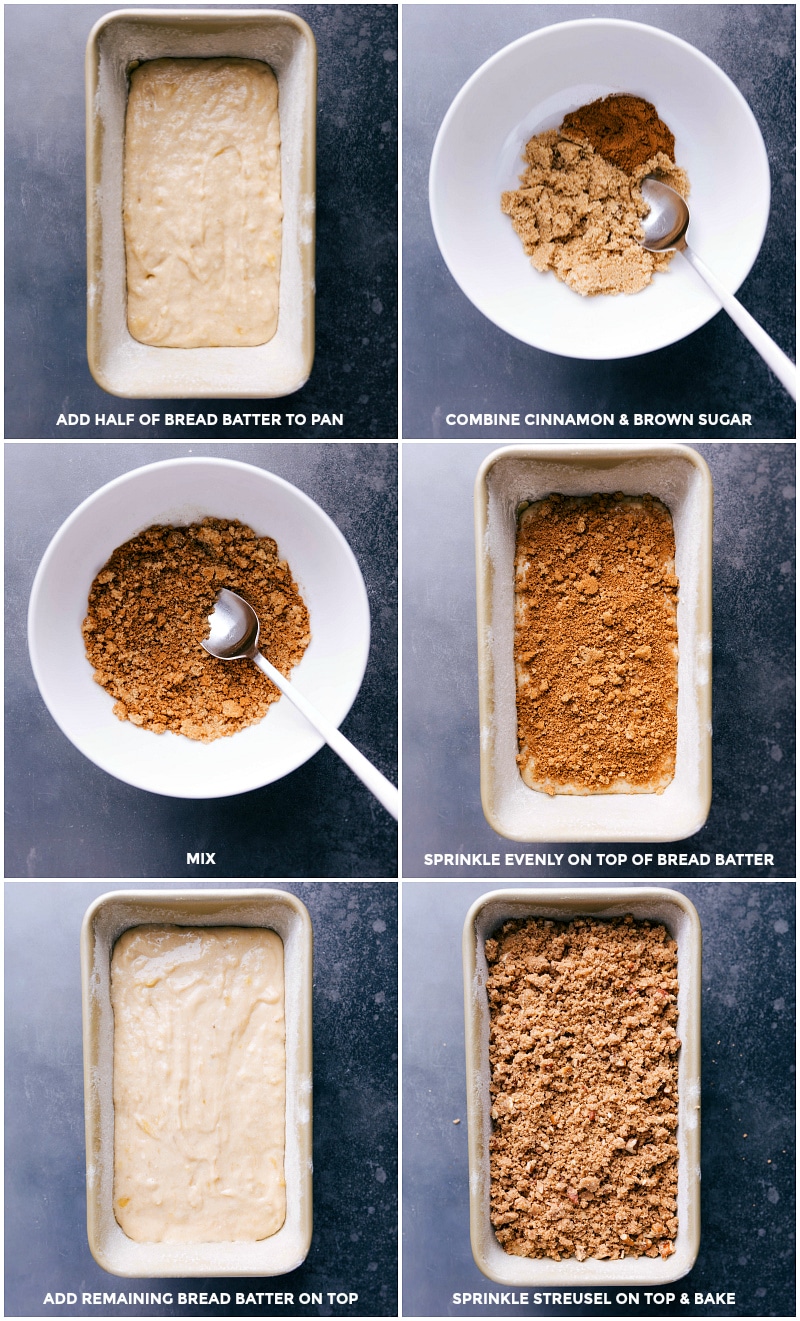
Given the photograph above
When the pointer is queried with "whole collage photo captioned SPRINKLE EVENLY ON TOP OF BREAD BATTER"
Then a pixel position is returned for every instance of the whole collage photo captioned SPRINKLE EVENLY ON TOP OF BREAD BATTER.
(513, 718)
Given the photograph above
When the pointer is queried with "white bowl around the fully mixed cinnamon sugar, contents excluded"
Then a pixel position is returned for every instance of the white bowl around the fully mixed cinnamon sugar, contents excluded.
(182, 492)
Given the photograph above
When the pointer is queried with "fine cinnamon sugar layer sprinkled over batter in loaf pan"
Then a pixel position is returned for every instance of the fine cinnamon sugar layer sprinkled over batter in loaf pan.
(596, 645)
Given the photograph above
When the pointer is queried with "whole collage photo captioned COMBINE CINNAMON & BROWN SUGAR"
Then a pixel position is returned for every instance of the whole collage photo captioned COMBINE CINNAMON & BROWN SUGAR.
(551, 322)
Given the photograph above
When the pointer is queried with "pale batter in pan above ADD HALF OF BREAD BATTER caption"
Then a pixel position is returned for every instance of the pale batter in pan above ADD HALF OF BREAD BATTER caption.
(203, 203)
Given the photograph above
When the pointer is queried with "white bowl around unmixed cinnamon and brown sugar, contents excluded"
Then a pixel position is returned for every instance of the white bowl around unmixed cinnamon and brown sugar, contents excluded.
(529, 88)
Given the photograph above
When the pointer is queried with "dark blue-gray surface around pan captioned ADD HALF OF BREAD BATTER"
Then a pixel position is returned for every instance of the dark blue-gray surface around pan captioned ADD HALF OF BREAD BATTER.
(356, 367)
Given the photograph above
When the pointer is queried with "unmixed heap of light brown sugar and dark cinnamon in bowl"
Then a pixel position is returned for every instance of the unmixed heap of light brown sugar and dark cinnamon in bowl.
(579, 208)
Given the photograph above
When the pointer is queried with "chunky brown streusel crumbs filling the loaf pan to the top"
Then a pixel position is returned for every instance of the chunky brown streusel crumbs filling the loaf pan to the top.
(584, 1088)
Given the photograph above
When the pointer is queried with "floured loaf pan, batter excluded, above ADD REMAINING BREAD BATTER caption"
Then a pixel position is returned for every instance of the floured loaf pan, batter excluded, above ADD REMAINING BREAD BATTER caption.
(104, 924)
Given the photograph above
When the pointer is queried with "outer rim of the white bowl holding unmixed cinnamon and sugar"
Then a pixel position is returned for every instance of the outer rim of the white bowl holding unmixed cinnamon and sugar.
(530, 39)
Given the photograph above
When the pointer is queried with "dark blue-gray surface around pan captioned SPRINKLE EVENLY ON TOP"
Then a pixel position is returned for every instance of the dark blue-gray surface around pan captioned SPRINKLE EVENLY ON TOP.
(753, 805)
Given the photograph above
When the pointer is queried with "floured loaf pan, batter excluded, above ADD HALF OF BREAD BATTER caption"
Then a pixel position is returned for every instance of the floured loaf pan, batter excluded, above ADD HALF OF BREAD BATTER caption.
(118, 363)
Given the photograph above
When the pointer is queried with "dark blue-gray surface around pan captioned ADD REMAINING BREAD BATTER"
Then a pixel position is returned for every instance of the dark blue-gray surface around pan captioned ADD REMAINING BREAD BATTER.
(354, 1246)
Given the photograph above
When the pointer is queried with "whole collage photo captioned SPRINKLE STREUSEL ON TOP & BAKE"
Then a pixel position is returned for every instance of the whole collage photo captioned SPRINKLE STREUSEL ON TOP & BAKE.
(537, 1182)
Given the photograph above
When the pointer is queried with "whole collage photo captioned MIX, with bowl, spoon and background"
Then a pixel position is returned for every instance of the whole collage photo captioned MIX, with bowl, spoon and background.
(164, 766)
